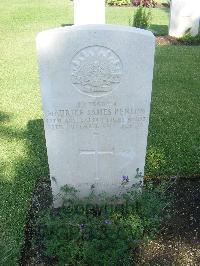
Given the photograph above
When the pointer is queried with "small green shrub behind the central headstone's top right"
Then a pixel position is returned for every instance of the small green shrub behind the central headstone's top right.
(141, 18)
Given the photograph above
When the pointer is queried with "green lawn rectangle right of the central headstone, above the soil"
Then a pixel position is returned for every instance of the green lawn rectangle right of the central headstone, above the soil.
(174, 137)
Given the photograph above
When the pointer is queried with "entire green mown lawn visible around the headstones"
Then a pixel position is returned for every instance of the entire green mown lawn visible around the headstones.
(173, 144)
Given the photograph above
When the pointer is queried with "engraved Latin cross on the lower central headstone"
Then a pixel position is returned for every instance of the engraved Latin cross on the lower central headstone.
(96, 152)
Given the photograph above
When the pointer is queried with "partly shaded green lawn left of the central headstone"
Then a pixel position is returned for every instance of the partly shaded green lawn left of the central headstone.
(22, 153)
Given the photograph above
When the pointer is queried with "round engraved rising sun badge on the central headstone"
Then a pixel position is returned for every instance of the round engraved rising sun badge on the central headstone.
(96, 70)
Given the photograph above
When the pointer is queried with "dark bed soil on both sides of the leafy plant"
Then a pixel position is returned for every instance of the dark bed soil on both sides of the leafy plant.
(178, 243)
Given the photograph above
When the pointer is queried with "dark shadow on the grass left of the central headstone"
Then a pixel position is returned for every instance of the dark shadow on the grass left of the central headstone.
(15, 196)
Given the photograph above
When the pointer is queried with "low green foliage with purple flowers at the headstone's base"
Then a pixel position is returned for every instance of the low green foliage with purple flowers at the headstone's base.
(81, 233)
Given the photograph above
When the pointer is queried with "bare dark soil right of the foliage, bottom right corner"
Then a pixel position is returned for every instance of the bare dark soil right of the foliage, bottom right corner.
(179, 240)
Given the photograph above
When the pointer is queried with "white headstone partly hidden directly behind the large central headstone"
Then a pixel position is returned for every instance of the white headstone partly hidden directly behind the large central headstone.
(89, 12)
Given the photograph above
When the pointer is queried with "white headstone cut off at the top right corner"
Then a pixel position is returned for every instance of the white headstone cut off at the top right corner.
(185, 15)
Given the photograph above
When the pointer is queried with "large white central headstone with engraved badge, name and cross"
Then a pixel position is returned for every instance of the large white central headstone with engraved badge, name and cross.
(96, 85)
